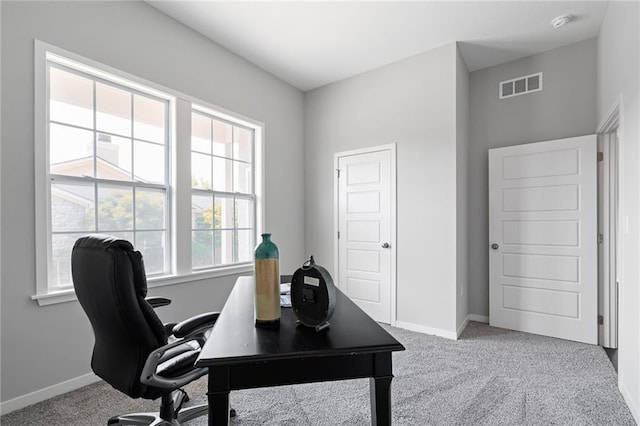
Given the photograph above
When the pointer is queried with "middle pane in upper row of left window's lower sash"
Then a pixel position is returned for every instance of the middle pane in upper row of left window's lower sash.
(115, 209)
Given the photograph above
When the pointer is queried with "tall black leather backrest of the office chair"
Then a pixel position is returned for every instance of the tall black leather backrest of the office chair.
(110, 283)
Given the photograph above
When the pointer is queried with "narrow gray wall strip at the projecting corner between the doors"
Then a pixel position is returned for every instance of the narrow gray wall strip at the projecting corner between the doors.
(462, 150)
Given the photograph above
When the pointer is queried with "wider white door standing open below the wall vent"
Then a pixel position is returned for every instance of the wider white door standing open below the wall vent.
(543, 238)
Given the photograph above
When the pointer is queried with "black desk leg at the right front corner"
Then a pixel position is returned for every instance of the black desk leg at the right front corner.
(380, 390)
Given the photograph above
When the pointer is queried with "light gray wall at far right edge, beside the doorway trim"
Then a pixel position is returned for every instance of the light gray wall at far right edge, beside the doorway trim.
(618, 79)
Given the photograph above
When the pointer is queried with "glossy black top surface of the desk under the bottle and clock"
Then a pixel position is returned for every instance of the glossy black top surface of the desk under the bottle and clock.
(235, 339)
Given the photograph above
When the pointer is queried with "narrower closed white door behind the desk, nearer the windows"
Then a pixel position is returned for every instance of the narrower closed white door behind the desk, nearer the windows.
(364, 219)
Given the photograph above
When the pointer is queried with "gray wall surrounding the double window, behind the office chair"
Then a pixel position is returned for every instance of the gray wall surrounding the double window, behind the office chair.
(44, 346)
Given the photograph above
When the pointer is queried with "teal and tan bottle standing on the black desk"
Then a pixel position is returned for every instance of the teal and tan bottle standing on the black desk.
(267, 279)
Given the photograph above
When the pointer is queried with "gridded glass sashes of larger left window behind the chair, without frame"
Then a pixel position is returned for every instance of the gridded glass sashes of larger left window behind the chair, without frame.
(108, 150)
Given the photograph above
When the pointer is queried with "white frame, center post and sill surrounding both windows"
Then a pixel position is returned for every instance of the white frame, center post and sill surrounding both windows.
(179, 195)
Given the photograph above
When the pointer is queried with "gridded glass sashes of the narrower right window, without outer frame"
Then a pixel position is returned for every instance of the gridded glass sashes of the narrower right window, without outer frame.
(223, 198)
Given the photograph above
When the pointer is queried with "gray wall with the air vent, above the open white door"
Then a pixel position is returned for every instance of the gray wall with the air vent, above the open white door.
(566, 107)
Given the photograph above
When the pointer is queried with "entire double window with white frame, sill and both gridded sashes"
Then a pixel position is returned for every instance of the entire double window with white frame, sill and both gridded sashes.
(107, 150)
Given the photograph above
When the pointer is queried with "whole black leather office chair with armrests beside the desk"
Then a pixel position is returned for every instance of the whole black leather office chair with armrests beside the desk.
(134, 352)
